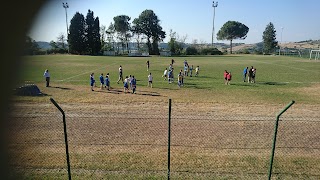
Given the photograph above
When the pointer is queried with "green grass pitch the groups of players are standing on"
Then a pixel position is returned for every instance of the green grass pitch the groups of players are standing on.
(278, 79)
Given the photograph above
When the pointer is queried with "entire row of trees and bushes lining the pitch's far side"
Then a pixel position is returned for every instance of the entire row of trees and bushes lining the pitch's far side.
(86, 37)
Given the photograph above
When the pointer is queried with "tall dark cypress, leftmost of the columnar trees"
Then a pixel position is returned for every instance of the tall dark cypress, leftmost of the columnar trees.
(76, 36)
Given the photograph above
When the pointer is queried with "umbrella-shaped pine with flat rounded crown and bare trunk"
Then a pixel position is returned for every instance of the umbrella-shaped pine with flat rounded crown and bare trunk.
(232, 30)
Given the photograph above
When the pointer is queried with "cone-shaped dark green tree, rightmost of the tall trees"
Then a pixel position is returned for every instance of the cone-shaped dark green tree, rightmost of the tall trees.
(269, 39)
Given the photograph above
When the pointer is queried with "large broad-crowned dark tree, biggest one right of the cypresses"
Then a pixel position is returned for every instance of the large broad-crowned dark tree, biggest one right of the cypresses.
(148, 24)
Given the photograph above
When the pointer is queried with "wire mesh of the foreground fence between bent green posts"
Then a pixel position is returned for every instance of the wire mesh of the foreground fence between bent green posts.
(134, 145)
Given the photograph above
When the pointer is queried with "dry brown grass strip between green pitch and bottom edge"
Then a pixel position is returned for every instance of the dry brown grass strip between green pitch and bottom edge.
(129, 132)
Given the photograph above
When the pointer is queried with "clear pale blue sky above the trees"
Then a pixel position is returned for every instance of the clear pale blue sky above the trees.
(195, 19)
